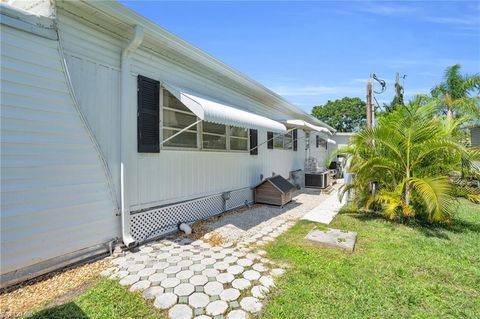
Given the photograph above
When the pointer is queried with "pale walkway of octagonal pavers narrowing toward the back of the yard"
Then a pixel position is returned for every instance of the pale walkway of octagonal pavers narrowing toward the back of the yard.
(193, 279)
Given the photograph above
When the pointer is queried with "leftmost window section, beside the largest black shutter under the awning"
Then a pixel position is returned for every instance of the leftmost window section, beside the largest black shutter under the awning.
(176, 117)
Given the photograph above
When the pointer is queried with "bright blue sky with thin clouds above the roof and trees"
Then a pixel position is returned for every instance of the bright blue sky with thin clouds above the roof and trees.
(310, 52)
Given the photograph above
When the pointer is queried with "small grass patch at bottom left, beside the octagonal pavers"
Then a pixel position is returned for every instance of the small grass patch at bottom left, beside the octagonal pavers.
(107, 299)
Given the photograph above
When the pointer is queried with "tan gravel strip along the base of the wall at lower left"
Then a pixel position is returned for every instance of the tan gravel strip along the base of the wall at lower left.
(52, 289)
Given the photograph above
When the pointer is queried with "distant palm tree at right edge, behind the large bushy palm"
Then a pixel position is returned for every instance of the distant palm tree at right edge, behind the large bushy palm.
(455, 93)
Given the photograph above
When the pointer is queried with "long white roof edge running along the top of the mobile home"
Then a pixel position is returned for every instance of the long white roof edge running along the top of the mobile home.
(127, 15)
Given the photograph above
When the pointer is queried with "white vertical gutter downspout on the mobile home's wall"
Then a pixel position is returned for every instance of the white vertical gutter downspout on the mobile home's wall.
(134, 43)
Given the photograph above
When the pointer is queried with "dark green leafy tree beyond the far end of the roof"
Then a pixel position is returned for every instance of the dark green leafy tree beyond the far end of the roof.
(345, 115)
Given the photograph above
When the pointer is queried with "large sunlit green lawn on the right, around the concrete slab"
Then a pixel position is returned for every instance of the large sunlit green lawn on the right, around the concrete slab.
(396, 271)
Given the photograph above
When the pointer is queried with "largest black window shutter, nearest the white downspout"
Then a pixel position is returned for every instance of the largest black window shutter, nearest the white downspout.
(148, 121)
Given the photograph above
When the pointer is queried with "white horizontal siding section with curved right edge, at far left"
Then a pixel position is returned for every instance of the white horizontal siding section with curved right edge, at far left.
(55, 197)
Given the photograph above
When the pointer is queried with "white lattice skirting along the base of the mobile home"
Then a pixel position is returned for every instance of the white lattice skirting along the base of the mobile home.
(162, 220)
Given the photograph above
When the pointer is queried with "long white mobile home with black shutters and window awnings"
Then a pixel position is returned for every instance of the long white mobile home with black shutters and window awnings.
(114, 129)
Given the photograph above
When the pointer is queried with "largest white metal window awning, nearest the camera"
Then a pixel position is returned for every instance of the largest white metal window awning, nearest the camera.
(211, 111)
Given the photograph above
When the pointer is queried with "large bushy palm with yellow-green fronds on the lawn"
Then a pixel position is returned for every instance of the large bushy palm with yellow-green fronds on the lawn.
(406, 158)
